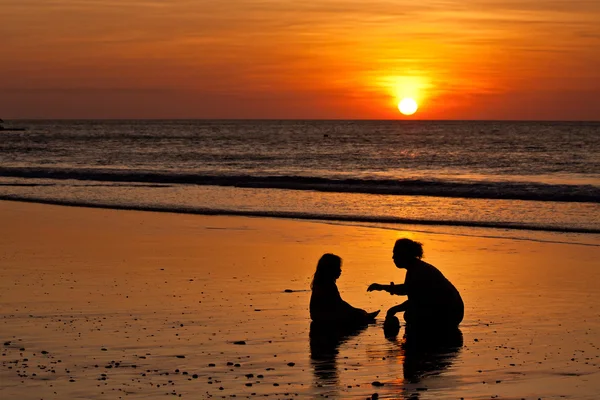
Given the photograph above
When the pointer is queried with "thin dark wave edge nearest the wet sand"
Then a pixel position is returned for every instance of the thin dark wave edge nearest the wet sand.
(301, 215)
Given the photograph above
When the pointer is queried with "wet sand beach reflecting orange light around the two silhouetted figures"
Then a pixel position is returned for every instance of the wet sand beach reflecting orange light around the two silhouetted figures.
(107, 304)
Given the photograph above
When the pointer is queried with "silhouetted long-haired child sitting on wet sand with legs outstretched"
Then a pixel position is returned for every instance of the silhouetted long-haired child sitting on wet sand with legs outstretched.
(326, 304)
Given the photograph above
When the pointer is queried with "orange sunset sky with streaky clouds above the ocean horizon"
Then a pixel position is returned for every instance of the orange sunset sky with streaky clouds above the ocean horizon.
(467, 59)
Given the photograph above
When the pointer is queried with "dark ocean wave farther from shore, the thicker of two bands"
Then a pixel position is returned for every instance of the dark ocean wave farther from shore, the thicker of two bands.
(532, 191)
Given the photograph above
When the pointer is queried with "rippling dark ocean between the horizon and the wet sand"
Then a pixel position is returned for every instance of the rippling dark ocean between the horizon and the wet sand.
(508, 176)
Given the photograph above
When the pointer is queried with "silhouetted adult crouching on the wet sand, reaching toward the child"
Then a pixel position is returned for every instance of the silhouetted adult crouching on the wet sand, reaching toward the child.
(433, 302)
